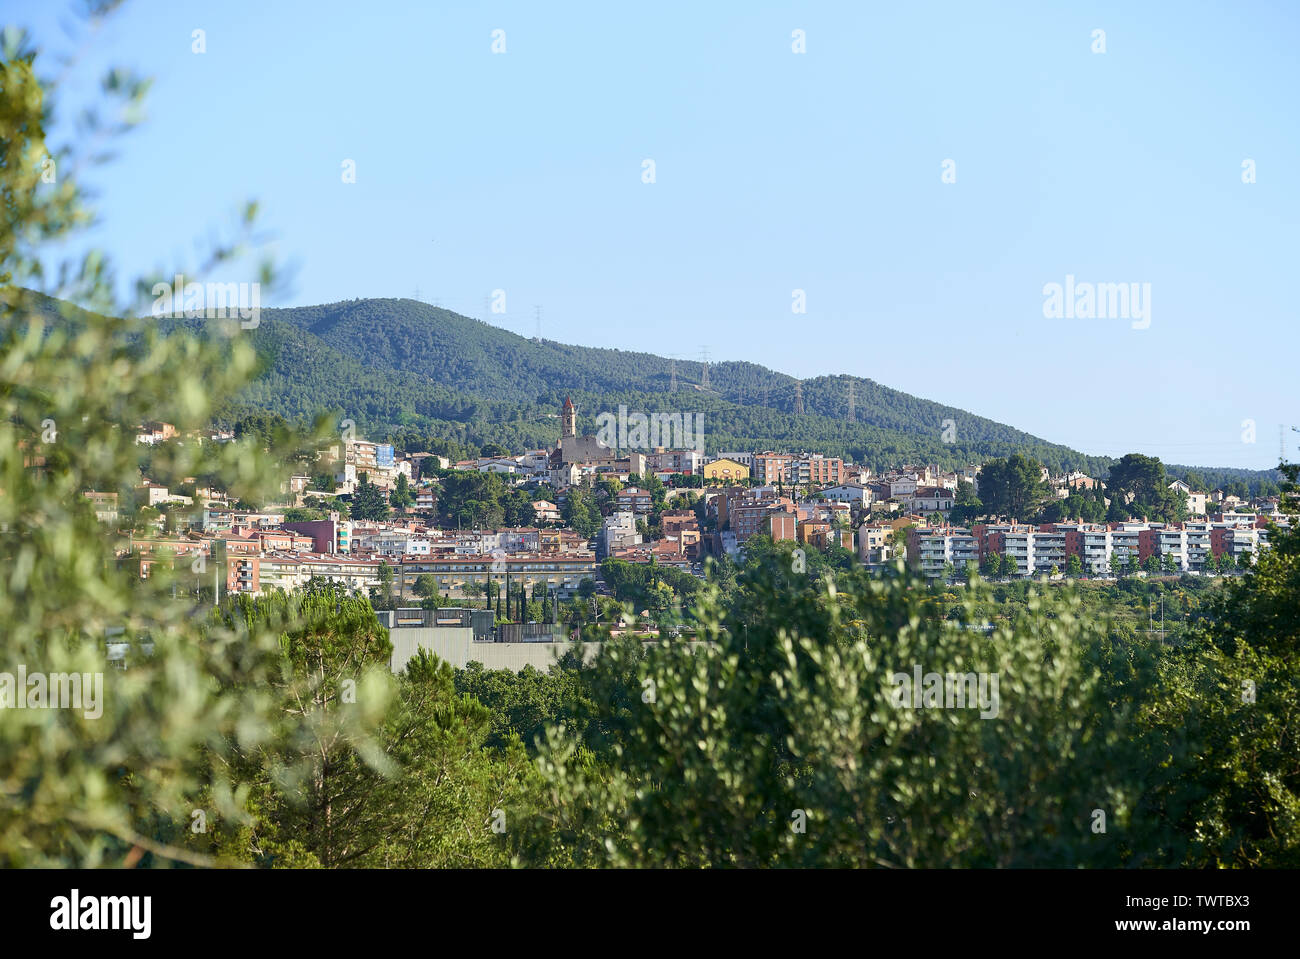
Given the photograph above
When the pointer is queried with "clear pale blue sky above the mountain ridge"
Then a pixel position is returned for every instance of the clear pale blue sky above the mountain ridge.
(774, 172)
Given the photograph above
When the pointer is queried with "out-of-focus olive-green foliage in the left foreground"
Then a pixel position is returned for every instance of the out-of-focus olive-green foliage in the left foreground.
(76, 381)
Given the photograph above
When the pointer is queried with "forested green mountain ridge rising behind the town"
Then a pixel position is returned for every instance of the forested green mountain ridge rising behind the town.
(434, 380)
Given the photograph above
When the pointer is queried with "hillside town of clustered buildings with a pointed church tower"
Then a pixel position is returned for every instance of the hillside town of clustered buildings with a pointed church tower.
(418, 528)
